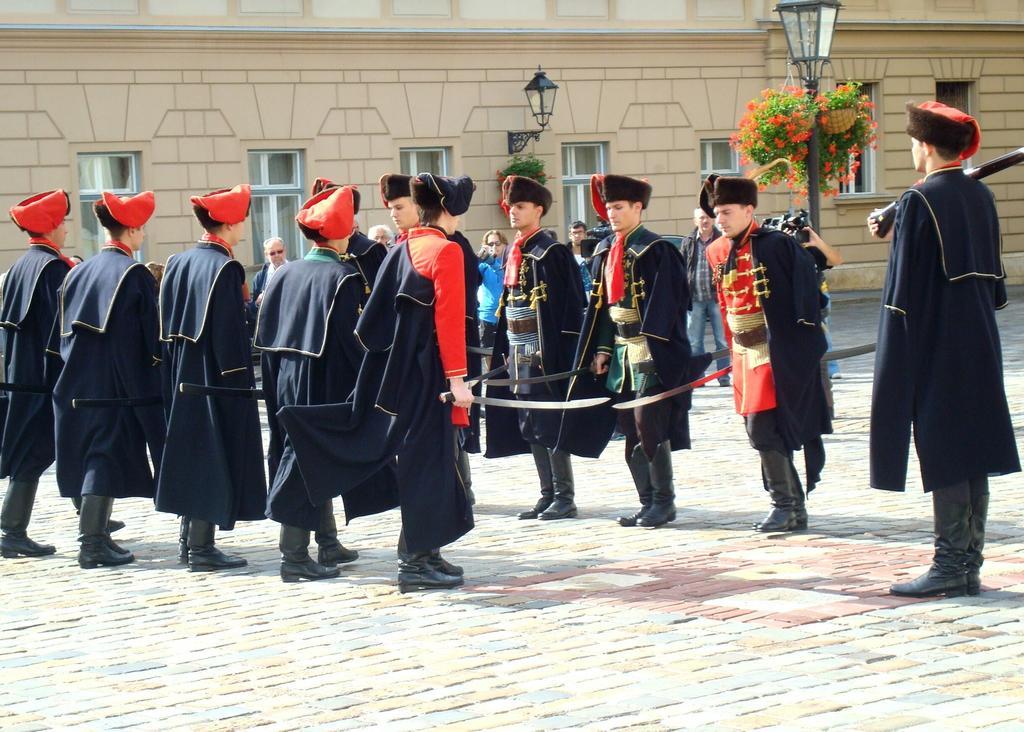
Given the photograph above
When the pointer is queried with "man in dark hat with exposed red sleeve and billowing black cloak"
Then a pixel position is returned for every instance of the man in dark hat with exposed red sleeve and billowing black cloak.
(413, 329)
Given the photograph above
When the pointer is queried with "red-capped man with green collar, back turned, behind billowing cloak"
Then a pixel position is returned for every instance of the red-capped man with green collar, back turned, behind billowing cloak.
(312, 357)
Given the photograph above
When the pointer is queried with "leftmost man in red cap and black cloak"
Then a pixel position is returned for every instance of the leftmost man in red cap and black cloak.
(30, 306)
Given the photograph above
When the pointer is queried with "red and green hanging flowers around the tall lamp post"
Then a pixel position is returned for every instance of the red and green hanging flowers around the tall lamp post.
(779, 125)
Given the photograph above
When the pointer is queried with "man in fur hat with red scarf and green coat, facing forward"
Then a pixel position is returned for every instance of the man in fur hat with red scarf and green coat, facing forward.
(635, 333)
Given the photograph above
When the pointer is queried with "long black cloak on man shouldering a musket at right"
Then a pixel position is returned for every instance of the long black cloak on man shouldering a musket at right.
(938, 368)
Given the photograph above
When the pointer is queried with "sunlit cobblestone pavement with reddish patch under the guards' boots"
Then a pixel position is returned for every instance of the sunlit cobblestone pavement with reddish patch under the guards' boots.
(574, 624)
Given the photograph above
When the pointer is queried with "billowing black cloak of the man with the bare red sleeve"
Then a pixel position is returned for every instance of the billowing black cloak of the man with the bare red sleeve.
(394, 411)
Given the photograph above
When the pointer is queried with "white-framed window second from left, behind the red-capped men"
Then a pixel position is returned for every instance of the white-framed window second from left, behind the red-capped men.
(276, 178)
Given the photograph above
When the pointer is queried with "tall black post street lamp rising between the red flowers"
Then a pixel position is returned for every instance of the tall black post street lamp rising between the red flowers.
(809, 26)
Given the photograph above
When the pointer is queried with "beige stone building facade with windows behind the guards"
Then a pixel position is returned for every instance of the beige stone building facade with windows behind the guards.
(185, 97)
